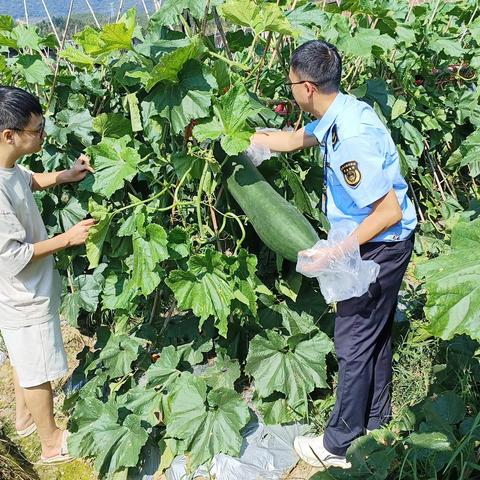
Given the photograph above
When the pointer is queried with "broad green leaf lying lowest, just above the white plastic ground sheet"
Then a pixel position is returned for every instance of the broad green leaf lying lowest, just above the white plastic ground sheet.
(207, 423)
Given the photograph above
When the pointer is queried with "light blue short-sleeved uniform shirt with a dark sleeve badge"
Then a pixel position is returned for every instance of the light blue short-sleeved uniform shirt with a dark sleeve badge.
(362, 165)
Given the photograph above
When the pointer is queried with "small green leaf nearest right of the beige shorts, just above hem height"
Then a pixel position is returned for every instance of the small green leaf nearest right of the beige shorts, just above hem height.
(119, 353)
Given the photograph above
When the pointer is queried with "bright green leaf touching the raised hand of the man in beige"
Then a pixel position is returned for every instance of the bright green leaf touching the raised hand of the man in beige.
(114, 163)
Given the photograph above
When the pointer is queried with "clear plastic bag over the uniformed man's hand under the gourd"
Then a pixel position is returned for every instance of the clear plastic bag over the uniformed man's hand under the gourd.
(337, 265)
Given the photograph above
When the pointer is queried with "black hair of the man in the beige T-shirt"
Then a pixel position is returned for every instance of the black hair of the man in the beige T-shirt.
(17, 107)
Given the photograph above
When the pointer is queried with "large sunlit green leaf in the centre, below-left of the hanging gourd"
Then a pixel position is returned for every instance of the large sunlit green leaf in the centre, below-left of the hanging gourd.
(205, 288)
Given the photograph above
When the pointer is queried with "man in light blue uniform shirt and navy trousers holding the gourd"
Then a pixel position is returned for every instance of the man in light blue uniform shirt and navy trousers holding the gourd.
(363, 183)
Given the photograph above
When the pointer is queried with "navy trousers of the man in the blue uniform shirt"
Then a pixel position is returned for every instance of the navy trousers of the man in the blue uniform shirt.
(362, 340)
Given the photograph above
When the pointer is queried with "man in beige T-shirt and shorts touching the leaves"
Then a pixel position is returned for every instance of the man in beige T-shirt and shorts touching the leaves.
(29, 283)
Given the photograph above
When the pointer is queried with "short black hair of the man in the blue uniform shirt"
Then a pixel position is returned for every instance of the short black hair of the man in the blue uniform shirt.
(319, 62)
